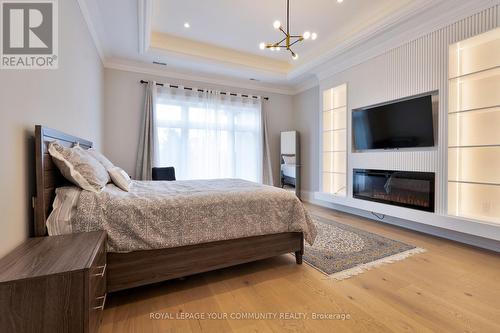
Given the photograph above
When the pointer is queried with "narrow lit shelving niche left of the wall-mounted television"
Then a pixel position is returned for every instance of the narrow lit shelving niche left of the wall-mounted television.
(334, 132)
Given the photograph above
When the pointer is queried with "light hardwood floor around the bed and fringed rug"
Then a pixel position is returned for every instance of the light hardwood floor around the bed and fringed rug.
(450, 288)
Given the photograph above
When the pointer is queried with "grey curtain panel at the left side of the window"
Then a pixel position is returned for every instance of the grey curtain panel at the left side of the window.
(145, 154)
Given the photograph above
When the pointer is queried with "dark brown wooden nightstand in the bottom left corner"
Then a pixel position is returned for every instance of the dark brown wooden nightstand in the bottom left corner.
(54, 284)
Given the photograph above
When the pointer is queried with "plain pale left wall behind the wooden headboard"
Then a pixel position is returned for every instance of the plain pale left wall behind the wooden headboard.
(68, 99)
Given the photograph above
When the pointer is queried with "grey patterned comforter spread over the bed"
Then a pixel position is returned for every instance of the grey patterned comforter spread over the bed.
(157, 215)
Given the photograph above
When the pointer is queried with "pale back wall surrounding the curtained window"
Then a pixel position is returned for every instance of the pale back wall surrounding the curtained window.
(124, 98)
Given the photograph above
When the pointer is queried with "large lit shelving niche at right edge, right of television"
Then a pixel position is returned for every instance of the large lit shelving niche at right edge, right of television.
(474, 128)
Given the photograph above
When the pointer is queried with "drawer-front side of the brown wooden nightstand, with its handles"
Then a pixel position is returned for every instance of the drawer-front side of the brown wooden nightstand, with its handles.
(97, 288)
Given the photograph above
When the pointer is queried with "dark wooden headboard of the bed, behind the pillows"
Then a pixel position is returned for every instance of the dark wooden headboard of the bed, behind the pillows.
(48, 177)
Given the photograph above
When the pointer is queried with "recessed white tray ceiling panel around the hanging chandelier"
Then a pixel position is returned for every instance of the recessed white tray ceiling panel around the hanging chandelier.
(241, 25)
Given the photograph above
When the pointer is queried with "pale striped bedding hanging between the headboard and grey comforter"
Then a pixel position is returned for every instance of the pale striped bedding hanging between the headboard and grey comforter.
(64, 208)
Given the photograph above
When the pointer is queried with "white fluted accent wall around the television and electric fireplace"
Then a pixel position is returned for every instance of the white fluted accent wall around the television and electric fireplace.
(417, 66)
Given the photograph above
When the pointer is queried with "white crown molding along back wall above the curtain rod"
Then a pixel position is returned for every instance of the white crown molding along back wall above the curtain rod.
(137, 67)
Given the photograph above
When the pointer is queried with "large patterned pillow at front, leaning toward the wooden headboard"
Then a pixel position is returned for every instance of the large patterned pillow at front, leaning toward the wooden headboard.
(79, 167)
